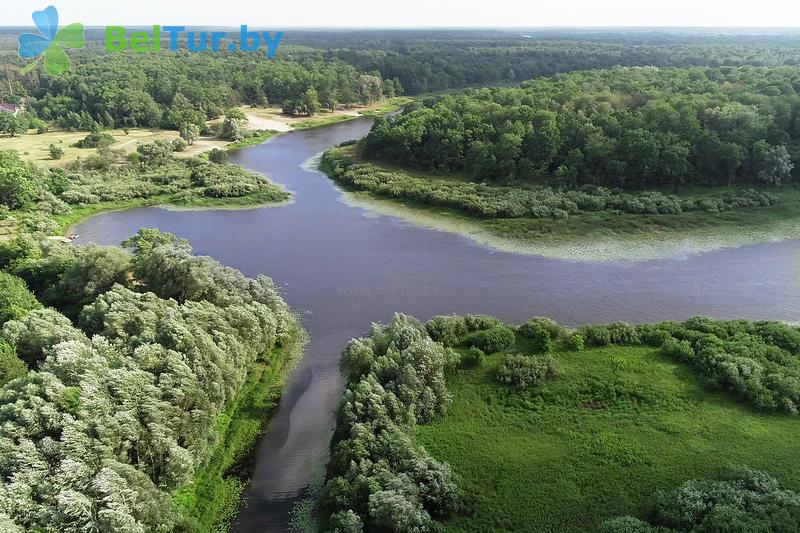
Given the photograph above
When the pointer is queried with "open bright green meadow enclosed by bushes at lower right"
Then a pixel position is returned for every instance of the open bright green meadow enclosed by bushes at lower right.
(616, 426)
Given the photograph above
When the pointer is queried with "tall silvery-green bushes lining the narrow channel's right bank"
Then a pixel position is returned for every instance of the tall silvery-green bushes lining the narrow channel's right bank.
(378, 478)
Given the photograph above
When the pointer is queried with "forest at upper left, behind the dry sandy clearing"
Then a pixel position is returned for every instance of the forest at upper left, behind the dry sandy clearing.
(174, 90)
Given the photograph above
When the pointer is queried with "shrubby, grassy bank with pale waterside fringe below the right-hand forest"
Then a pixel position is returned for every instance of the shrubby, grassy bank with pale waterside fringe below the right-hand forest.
(588, 223)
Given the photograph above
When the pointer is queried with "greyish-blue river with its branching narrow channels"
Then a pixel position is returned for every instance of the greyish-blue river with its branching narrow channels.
(343, 269)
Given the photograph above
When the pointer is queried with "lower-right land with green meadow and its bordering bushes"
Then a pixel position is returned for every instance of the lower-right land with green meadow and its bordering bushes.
(545, 428)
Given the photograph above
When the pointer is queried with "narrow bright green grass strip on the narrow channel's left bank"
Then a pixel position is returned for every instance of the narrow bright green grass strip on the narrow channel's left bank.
(214, 496)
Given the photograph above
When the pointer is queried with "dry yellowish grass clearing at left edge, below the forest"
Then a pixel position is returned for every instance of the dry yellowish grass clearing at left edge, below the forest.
(33, 147)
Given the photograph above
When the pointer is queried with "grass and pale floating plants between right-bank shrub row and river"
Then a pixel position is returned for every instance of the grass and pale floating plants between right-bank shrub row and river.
(602, 235)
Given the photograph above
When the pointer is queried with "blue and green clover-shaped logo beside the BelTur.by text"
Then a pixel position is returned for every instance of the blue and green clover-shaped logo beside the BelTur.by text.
(51, 42)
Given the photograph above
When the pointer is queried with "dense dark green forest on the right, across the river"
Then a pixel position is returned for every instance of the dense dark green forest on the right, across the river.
(628, 127)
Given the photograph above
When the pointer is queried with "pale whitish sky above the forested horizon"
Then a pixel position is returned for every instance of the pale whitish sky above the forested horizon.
(413, 13)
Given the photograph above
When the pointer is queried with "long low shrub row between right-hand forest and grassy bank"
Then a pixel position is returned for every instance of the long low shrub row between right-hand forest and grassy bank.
(492, 201)
